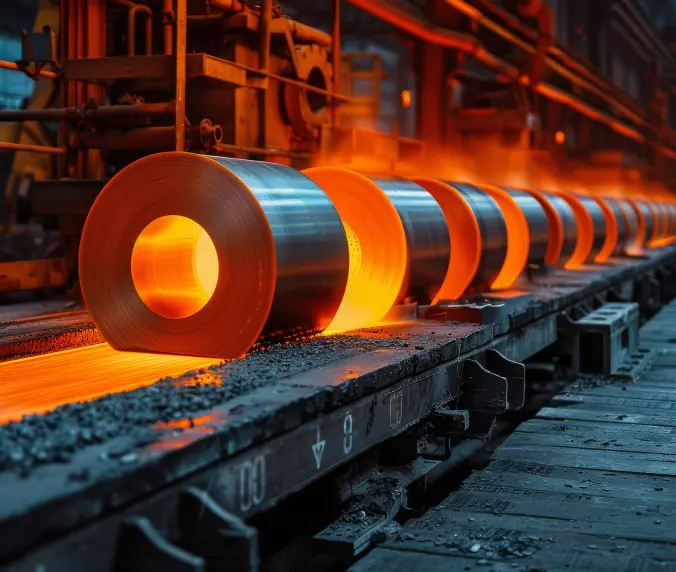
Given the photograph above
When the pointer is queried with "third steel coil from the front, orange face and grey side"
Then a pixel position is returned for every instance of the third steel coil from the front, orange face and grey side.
(478, 236)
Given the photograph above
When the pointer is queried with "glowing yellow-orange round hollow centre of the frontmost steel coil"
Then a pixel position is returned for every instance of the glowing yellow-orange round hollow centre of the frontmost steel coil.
(174, 266)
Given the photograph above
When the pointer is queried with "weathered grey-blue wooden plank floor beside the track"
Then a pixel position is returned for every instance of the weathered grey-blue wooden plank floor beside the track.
(588, 484)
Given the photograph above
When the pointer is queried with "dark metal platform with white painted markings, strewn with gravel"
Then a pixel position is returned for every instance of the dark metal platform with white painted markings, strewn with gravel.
(253, 431)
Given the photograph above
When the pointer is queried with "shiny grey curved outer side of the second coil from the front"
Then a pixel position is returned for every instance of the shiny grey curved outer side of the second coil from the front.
(427, 236)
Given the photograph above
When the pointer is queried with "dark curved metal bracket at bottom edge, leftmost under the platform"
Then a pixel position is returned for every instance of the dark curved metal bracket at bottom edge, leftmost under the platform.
(141, 548)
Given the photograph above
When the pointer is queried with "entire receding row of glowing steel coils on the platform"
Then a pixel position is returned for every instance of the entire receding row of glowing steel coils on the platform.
(195, 255)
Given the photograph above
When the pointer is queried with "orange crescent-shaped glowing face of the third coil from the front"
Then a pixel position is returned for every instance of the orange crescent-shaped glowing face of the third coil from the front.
(465, 237)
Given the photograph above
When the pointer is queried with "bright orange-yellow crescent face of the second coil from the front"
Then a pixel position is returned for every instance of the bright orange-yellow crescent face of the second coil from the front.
(377, 246)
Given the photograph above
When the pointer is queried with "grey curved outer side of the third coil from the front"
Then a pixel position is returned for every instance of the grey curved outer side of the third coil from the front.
(493, 231)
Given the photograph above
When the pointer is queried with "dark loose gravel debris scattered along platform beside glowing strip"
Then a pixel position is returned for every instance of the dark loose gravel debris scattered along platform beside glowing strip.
(54, 437)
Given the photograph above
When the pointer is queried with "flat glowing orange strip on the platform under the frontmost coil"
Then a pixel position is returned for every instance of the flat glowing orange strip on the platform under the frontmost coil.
(83, 374)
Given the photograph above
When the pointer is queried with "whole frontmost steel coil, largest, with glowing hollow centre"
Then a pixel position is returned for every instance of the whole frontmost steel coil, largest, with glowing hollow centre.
(160, 228)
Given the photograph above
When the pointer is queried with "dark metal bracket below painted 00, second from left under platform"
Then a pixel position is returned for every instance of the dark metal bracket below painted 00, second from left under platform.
(222, 539)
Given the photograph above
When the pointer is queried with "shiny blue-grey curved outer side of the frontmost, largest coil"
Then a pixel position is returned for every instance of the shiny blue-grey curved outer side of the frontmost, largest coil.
(310, 244)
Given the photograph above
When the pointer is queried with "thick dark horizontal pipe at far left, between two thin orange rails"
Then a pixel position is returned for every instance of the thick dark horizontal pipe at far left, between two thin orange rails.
(139, 109)
